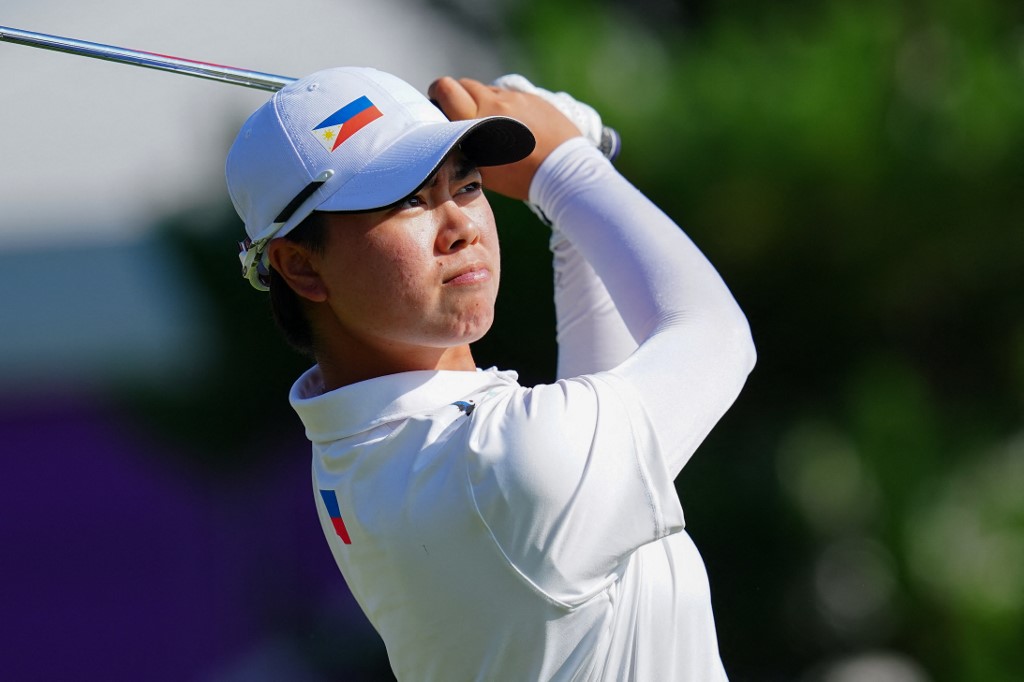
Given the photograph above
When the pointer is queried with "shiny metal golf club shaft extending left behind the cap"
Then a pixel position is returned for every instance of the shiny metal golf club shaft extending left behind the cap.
(214, 72)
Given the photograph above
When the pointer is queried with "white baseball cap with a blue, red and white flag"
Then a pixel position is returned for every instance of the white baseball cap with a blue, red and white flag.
(350, 139)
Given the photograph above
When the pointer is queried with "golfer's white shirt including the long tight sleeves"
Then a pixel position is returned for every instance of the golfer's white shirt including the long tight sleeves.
(493, 532)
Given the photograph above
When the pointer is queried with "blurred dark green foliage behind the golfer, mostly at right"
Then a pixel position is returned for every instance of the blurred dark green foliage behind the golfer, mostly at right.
(857, 173)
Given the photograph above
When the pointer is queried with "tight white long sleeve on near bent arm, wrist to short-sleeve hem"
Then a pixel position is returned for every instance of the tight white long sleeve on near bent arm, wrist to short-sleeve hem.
(696, 349)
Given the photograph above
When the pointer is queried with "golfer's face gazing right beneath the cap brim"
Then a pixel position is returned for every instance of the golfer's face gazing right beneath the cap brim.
(421, 274)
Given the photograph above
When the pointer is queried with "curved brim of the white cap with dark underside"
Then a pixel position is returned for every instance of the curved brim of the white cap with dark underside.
(405, 166)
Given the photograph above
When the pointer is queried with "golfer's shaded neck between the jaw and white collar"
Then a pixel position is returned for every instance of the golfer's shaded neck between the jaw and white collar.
(344, 367)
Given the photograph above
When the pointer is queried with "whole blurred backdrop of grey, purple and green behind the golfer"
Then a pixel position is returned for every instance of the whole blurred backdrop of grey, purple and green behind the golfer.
(855, 169)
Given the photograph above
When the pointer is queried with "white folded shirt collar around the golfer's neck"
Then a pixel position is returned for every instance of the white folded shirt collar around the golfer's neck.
(363, 406)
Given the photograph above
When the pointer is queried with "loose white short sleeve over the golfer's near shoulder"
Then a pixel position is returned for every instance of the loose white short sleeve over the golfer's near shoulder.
(570, 480)
